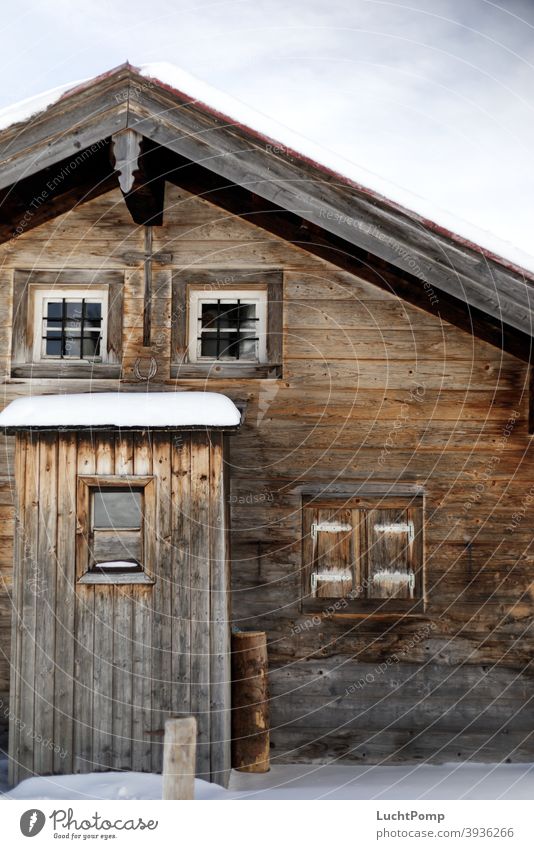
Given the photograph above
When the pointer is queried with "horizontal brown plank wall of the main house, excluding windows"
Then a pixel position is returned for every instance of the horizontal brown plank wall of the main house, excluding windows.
(373, 388)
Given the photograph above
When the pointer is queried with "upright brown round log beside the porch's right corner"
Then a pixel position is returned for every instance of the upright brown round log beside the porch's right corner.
(250, 702)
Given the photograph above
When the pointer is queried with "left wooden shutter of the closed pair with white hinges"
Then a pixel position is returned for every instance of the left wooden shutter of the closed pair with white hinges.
(329, 552)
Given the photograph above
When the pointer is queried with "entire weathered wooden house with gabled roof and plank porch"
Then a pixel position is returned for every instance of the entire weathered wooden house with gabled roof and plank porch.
(380, 489)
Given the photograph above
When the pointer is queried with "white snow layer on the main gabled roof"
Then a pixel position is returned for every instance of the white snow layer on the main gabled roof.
(233, 111)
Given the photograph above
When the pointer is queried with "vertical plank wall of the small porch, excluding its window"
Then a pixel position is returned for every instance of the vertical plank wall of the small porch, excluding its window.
(96, 665)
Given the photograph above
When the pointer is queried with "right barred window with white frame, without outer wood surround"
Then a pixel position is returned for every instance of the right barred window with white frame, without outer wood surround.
(230, 325)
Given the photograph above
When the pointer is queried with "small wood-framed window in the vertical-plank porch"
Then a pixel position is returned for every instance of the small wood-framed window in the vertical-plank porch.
(115, 515)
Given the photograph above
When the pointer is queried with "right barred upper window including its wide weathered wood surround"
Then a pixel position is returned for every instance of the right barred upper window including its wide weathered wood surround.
(227, 324)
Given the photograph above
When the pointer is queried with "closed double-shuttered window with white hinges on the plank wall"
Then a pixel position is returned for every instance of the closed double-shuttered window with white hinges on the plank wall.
(367, 552)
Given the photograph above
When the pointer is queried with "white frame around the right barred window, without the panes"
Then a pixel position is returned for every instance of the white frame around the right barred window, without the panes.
(197, 297)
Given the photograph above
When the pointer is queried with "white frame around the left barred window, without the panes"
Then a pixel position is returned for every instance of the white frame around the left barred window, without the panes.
(41, 298)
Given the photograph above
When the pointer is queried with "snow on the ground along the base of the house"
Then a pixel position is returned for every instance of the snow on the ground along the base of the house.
(420, 781)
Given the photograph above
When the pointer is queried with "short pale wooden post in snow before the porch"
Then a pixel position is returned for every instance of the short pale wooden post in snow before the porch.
(179, 756)
